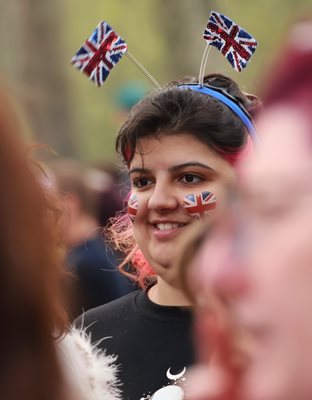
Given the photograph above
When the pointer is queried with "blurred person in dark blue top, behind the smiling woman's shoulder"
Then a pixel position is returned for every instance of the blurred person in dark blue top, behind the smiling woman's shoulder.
(80, 189)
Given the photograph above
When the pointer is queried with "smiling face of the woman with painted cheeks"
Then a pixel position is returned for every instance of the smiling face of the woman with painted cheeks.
(169, 168)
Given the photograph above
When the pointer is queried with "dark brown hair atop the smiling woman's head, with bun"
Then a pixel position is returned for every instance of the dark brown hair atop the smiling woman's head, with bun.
(173, 110)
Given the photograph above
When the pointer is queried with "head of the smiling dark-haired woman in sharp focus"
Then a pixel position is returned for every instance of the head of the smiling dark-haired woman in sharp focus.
(176, 142)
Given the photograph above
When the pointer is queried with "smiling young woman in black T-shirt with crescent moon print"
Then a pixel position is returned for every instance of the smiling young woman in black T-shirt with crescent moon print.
(180, 140)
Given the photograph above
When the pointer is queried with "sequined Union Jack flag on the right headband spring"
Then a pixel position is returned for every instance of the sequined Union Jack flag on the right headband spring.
(236, 44)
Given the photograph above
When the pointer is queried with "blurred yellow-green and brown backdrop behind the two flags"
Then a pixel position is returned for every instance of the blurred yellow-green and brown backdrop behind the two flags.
(60, 107)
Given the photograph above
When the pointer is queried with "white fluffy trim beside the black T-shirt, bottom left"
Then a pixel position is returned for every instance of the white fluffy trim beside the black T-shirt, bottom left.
(89, 372)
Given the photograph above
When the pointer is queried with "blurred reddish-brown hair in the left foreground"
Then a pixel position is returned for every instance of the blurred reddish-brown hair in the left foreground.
(31, 260)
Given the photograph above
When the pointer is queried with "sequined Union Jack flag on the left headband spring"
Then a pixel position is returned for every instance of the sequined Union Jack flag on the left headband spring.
(100, 53)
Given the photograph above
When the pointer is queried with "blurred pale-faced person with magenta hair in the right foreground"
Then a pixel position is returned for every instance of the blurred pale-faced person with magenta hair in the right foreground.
(251, 277)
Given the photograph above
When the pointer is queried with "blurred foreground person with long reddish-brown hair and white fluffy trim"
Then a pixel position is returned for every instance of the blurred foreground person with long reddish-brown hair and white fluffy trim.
(40, 357)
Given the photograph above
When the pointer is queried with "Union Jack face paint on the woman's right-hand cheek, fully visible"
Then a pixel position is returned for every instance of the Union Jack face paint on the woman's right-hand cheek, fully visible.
(200, 206)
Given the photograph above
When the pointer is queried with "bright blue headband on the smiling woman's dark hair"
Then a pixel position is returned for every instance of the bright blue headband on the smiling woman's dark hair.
(228, 100)
